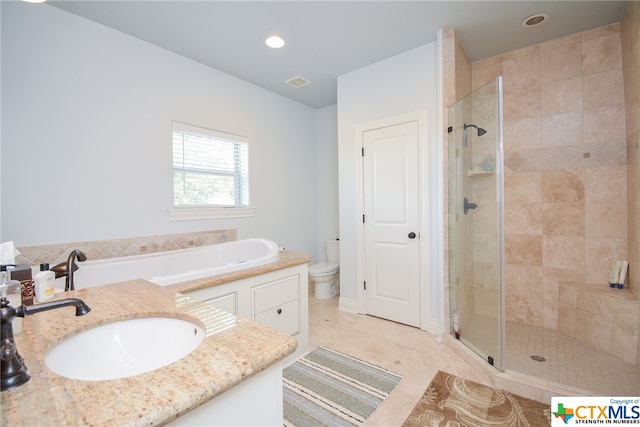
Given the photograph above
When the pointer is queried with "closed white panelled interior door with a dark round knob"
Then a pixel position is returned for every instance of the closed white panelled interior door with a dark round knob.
(391, 223)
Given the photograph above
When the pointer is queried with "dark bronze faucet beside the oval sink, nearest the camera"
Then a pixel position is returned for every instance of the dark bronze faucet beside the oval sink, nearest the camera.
(13, 368)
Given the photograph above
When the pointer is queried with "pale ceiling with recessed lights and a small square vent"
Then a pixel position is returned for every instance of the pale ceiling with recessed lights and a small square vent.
(325, 39)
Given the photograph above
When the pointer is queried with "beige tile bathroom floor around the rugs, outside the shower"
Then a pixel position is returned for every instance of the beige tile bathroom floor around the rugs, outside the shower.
(403, 349)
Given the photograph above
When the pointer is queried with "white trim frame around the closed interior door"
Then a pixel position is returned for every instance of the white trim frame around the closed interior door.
(426, 264)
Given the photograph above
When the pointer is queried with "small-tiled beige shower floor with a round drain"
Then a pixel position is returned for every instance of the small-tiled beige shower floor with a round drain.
(568, 361)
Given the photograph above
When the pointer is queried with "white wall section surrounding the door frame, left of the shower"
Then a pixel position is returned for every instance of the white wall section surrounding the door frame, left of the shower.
(401, 84)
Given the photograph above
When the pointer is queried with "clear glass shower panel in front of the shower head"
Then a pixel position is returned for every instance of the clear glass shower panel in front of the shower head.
(475, 206)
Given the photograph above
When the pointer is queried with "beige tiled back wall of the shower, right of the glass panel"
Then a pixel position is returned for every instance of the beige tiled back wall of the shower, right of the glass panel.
(565, 167)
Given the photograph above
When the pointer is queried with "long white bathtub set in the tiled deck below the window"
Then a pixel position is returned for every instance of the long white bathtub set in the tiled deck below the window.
(167, 268)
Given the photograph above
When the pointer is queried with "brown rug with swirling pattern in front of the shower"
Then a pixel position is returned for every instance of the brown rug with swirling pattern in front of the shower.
(451, 401)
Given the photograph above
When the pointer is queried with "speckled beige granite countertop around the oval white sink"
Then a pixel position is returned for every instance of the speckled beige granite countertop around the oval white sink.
(222, 361)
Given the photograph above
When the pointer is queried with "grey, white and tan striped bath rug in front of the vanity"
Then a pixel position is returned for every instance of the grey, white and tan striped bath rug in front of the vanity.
(328, 388)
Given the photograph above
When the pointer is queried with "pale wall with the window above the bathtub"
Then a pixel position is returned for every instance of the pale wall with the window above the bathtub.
(86, 146)
